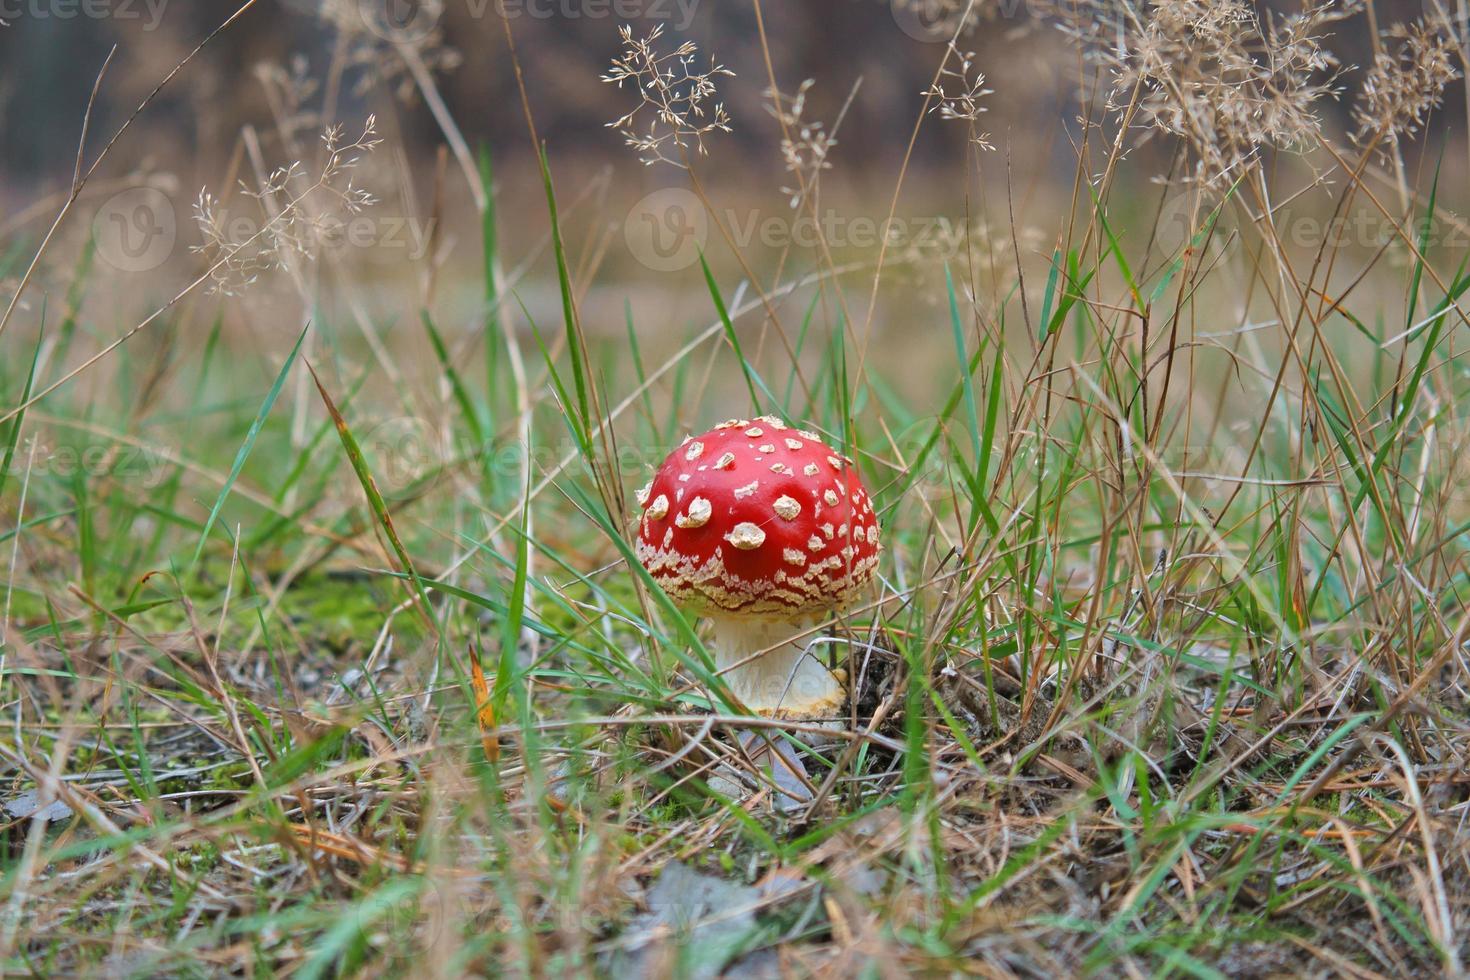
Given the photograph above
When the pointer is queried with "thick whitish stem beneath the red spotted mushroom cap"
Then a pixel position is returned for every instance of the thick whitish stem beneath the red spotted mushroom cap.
(786, 680)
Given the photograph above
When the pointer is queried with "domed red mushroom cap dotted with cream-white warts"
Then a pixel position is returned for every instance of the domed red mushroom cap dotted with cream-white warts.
(756, 518)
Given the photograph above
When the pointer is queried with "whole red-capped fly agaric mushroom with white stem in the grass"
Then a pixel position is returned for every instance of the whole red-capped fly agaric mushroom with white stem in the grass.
(765, 531)
